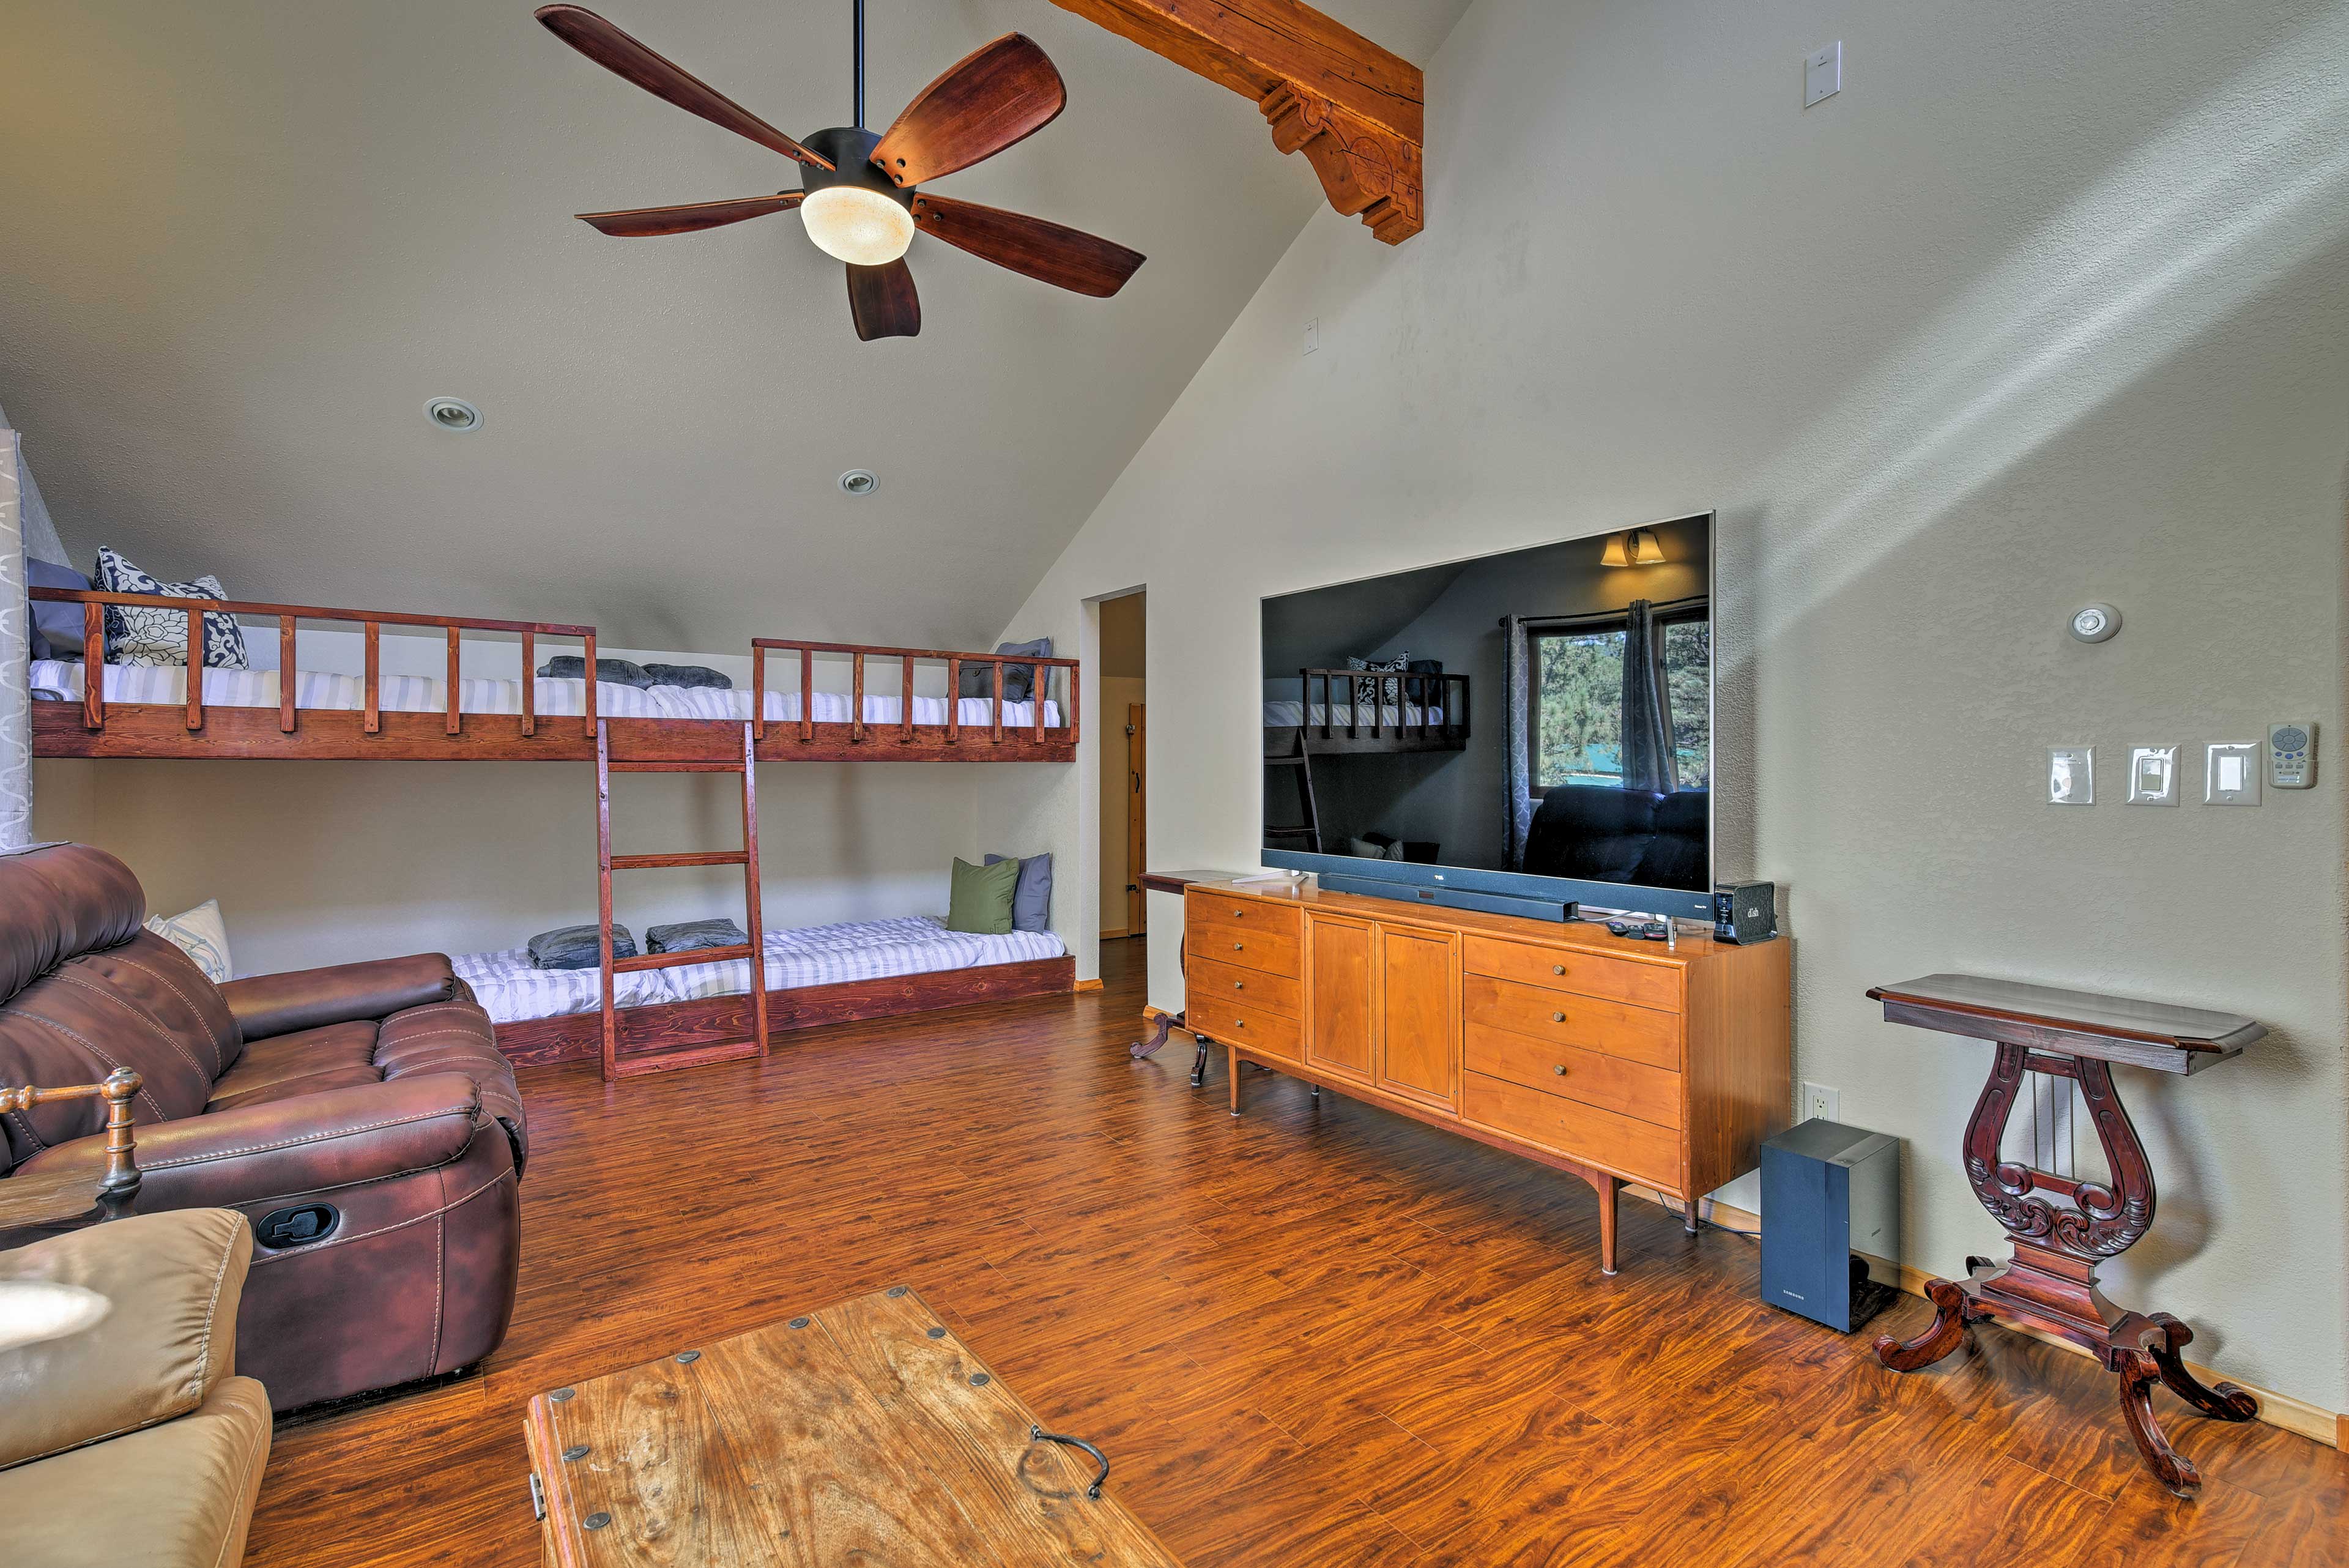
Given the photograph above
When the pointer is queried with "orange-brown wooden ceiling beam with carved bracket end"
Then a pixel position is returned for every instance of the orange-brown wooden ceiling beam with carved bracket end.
(1357, 112)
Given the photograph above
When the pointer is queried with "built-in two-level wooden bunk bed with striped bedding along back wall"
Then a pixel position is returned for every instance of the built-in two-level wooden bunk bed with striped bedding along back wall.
(640, 1012)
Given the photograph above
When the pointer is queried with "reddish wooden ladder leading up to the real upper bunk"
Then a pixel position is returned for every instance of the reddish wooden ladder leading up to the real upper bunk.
(755, 953)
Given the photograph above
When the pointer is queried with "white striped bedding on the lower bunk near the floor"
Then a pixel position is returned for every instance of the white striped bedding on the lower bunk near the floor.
(812, 956)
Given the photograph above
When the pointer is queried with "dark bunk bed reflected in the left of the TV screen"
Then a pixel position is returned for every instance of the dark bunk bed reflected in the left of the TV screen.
(1352, 713)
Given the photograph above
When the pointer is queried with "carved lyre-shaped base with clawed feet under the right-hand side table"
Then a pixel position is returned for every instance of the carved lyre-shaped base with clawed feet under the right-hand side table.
(2052, 1278)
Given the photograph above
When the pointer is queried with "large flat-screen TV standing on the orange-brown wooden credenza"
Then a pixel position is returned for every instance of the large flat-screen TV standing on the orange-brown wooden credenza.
(1519, 732)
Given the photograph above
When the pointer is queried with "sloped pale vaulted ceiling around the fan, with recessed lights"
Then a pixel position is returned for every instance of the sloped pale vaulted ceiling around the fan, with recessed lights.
(245, 241)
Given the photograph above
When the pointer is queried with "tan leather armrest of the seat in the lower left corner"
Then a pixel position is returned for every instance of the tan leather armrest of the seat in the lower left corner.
(170, 1332)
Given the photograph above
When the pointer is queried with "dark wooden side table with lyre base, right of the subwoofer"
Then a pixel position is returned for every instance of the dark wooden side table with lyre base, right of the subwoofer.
(2050, 1282)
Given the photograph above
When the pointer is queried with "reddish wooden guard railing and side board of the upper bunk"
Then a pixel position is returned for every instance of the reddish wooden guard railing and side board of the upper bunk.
(372, 732)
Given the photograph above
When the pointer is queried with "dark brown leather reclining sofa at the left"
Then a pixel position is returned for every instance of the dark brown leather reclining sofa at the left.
(361, 1118)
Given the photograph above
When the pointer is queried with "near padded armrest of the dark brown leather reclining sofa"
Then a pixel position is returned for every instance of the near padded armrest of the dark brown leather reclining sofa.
(257, 1153)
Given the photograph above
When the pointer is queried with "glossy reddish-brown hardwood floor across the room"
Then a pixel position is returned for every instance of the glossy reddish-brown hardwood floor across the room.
(1319, 1334)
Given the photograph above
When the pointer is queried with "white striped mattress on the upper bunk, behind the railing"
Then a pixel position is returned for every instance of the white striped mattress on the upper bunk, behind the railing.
(168, 685)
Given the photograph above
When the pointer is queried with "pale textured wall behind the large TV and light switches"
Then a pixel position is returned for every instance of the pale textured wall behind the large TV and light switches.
(2045, 307)
